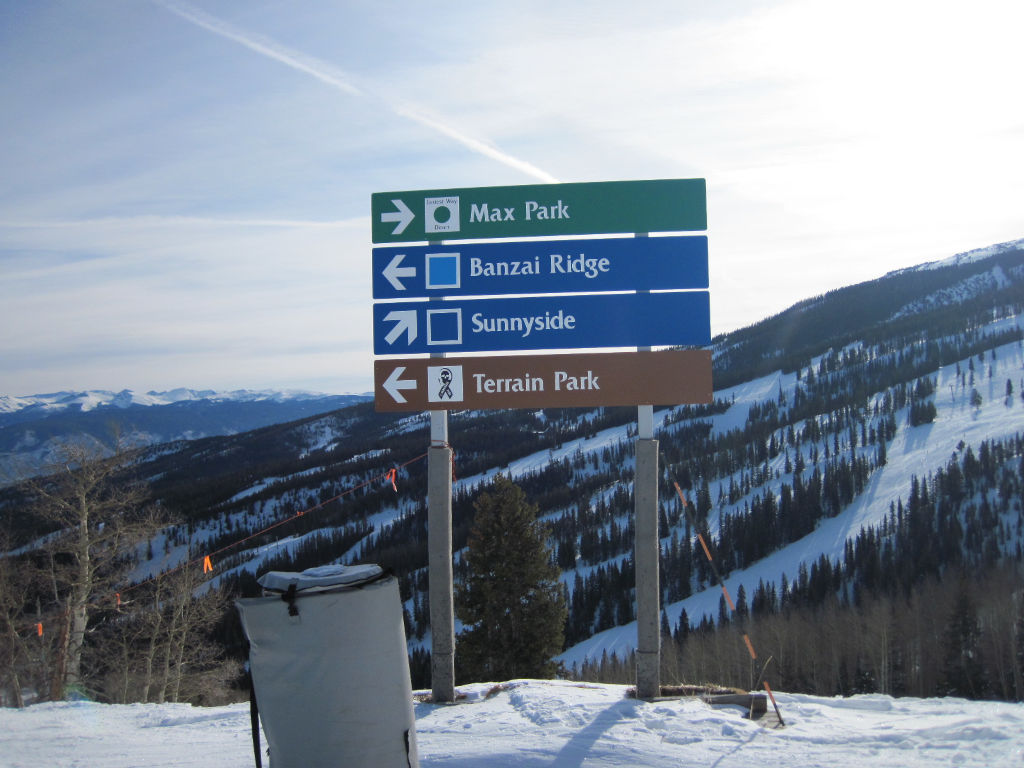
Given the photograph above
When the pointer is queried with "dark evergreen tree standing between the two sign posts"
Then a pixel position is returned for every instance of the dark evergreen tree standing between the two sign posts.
(511, 601)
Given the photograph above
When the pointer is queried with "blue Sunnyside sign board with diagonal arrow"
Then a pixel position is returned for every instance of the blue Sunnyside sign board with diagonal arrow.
(543, 323)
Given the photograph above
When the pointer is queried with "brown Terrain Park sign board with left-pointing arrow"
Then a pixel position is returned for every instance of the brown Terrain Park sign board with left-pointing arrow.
(665, 378)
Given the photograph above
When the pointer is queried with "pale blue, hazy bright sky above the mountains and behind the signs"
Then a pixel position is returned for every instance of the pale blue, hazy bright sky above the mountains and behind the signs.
(185, 187)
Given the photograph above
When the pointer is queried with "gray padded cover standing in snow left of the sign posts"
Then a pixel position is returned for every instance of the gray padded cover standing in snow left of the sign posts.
(332, 684)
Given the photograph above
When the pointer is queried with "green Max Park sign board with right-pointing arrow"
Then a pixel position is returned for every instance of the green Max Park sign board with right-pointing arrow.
(541, 210)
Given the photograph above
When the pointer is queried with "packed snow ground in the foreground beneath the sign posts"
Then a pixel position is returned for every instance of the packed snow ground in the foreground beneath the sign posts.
(556, 724)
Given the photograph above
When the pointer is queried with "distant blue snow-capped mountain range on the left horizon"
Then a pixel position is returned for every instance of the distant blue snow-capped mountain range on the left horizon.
(33, 428)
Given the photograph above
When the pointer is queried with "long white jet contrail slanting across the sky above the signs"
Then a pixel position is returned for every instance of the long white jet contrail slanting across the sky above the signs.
(335, 78)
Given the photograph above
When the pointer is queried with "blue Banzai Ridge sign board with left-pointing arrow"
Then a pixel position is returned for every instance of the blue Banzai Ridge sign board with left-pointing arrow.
(541, 268)
